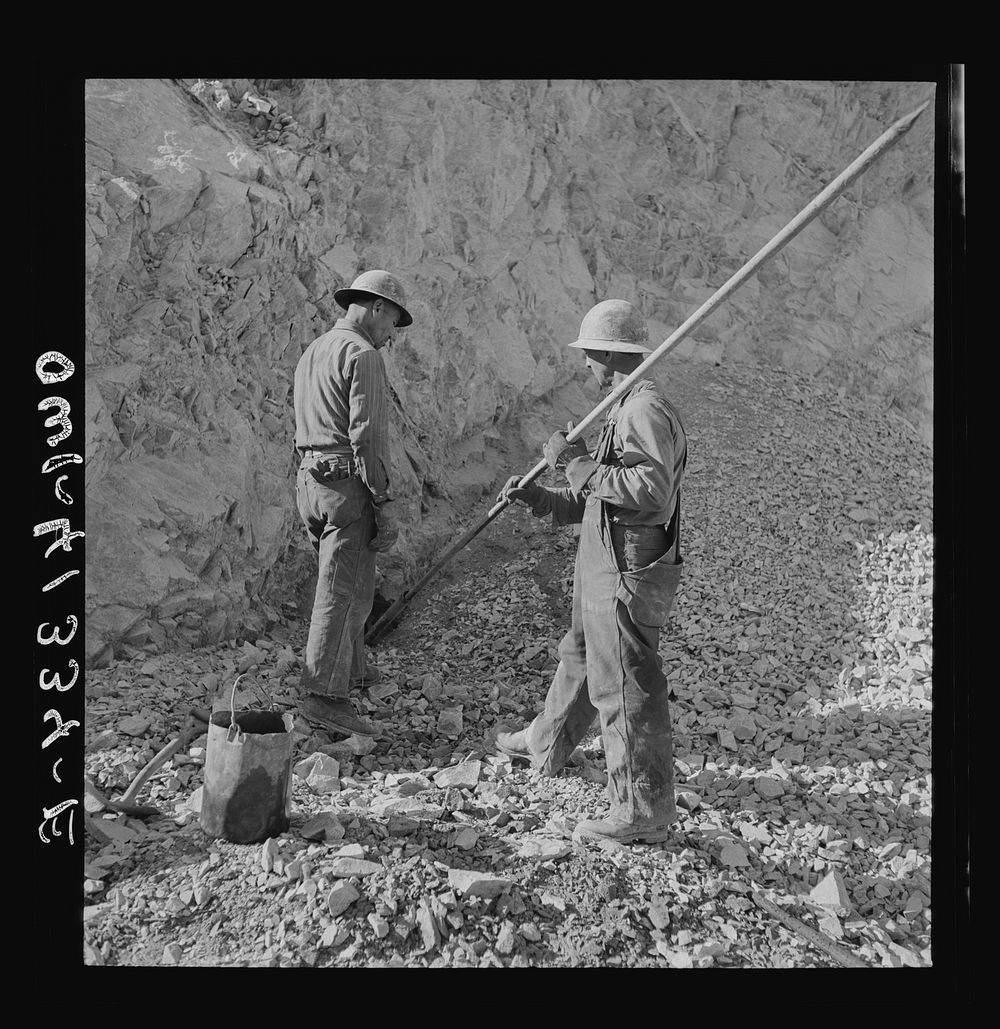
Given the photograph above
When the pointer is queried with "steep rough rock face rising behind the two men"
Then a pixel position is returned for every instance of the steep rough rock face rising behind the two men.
(217, 237)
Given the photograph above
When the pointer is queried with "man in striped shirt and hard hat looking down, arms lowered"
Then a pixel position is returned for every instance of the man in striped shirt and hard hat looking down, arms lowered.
(343, 490)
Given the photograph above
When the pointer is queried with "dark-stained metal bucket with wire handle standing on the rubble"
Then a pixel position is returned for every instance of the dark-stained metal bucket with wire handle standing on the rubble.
(247, 792)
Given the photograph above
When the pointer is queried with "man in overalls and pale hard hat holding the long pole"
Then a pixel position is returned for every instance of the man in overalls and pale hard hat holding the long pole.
(627, 499)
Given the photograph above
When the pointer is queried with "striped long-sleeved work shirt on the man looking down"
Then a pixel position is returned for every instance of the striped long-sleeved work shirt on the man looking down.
(342, 402)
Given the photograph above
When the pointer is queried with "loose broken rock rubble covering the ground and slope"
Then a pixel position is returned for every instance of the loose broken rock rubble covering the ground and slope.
(800, 661)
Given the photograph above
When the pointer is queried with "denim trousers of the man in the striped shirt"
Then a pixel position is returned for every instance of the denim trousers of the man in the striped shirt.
(339, 516)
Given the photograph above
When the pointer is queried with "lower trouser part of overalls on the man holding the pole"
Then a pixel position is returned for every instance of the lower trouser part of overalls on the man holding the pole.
(625, 583)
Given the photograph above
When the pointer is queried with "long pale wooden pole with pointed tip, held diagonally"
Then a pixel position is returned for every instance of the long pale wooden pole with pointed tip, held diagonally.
(814, 208)
